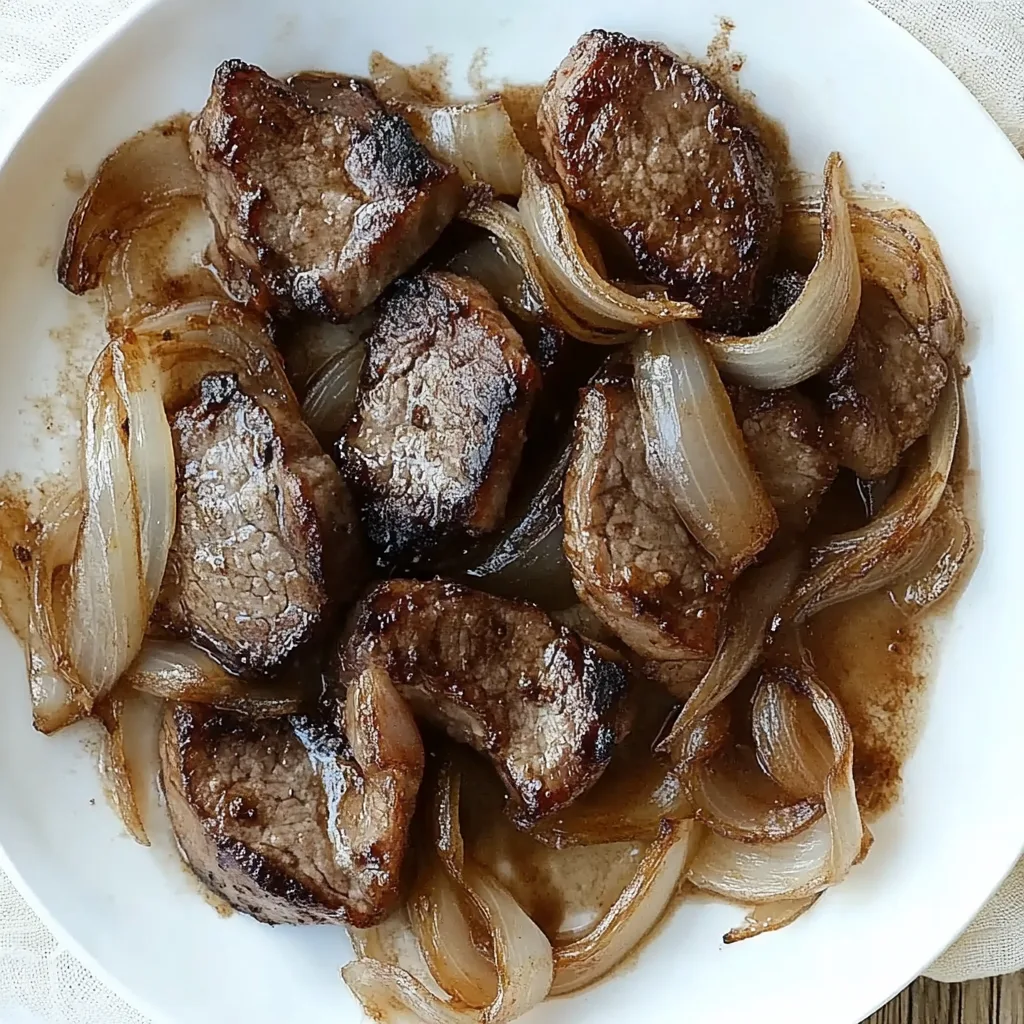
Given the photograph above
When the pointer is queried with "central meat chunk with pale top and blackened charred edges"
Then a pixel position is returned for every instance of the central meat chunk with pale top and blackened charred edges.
(439, 434)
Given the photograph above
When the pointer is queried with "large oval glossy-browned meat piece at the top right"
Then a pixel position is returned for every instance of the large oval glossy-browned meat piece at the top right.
(652, 147)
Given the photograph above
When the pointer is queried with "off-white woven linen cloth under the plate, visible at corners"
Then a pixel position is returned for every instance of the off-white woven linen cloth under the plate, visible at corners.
(982, 40)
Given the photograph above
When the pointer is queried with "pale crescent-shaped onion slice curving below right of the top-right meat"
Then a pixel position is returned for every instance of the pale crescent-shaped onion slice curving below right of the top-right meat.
(816, 329)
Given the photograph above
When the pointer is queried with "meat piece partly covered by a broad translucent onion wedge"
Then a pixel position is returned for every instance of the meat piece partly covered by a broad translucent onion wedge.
(633, 562)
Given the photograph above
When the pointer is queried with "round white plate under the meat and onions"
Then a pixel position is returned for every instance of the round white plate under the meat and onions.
(838, 75)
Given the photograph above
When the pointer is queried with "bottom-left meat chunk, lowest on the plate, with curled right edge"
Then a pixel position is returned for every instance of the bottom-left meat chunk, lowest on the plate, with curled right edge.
(297, 820)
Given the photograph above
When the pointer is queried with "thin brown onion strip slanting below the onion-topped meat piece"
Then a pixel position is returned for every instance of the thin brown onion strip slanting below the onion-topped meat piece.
(754, 603)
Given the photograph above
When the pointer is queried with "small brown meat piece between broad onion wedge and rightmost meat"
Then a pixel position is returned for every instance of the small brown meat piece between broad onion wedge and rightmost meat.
(785, 439)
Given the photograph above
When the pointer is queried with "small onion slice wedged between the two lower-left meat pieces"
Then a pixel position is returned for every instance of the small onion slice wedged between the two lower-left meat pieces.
(176, 671)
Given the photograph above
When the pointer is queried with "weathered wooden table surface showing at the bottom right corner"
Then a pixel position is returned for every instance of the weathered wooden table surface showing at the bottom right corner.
(991, 1001)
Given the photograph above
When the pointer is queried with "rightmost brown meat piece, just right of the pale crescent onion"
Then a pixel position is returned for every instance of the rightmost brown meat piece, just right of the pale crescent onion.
(882, 392)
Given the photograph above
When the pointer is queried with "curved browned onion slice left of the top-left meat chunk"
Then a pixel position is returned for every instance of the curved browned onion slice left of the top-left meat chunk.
(141, 176)
